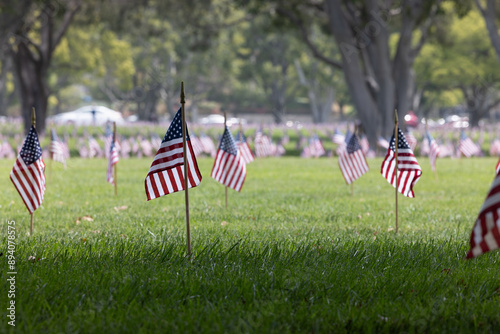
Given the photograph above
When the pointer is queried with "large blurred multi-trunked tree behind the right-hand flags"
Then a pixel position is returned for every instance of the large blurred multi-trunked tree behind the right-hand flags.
(378, 77)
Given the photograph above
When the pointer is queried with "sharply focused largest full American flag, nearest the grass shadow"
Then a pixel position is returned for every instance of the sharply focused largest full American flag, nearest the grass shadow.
(166, 174)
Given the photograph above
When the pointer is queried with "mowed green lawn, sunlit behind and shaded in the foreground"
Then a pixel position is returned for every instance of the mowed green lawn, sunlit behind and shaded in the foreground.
(294, 252)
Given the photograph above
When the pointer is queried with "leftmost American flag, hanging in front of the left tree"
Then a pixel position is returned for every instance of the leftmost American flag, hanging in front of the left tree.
(28, 173)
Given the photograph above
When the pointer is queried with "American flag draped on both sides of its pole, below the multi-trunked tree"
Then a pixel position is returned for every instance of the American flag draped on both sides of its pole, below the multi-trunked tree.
(409, 170)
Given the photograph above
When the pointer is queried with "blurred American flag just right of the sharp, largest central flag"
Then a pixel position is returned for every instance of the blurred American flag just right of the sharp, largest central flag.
(229, 167)
